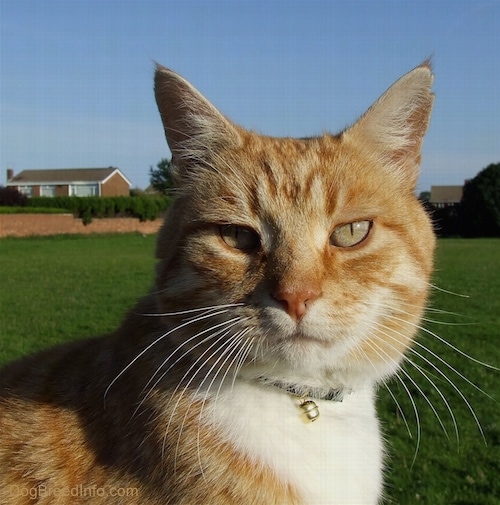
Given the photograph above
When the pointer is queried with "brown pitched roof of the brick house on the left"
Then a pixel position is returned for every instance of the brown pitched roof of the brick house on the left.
(65, 176)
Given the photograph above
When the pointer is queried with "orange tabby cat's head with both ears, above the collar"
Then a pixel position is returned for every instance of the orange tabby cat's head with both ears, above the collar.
(311, 256)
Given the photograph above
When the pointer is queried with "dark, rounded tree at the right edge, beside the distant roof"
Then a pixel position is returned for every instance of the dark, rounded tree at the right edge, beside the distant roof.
(480, 205)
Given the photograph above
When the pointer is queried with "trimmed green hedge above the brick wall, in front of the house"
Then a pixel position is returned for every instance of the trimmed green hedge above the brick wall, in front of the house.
(146, 208)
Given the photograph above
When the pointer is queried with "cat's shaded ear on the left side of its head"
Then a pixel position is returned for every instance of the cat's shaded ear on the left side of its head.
(192, 124)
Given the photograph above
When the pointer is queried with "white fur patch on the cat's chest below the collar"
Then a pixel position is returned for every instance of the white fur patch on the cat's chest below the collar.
(337, 460)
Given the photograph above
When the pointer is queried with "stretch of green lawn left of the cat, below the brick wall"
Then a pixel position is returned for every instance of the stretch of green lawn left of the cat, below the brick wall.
(53, 289)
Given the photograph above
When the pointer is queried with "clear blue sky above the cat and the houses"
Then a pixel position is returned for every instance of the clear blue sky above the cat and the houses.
(76, 76)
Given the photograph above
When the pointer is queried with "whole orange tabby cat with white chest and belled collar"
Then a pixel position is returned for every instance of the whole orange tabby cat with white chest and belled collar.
(292, 276)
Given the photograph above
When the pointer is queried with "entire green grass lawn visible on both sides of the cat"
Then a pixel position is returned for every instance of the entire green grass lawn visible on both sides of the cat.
(59, 288)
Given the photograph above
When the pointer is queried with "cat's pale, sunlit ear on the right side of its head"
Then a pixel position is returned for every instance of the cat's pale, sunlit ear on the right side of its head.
(394, 126)
